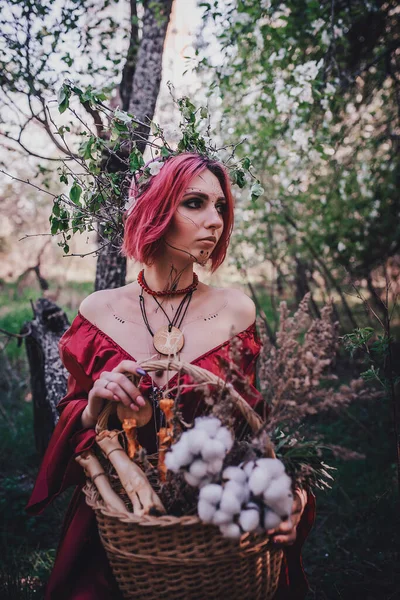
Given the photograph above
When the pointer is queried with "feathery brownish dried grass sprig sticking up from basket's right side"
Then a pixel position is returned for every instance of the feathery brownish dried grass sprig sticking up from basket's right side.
(294, 373)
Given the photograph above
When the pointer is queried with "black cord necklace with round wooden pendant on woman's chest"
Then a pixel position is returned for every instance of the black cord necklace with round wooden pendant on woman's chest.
(169, 339)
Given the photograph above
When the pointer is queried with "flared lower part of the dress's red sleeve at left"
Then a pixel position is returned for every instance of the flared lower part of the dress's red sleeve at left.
(59, 470)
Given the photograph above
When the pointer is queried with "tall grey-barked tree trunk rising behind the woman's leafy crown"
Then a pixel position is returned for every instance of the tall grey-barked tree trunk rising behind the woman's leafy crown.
(140, 95)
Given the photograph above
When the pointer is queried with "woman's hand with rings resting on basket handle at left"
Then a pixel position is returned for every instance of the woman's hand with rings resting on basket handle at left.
(115, 386)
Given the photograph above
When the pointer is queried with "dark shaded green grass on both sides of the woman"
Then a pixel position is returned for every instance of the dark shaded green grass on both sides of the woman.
(349, 554)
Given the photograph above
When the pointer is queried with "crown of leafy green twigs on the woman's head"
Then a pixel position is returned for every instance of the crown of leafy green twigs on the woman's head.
(98, 196)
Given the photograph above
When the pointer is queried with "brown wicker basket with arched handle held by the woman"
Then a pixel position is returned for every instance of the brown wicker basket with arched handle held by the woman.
(180, 557)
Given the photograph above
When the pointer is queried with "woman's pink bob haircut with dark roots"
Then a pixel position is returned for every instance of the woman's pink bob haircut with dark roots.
(156, 203)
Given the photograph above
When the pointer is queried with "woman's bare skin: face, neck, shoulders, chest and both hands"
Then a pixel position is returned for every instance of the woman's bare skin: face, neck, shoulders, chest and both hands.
(213, 317)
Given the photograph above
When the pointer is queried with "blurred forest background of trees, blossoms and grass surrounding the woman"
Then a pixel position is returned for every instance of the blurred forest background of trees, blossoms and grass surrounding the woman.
(308, 93)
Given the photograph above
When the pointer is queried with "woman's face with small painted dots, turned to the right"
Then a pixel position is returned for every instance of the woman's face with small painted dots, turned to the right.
(198, 222)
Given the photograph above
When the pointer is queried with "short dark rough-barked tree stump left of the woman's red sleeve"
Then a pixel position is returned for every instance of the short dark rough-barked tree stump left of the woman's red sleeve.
(48, 375)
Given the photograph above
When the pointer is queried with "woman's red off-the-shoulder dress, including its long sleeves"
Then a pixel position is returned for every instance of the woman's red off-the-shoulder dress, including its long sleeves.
(81, 570)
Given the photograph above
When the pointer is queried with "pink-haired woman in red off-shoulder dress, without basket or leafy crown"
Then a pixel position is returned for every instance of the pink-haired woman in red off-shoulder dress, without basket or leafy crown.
(183, 215)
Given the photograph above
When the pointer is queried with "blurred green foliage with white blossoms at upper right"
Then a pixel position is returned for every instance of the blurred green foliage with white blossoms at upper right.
(315, 102)
